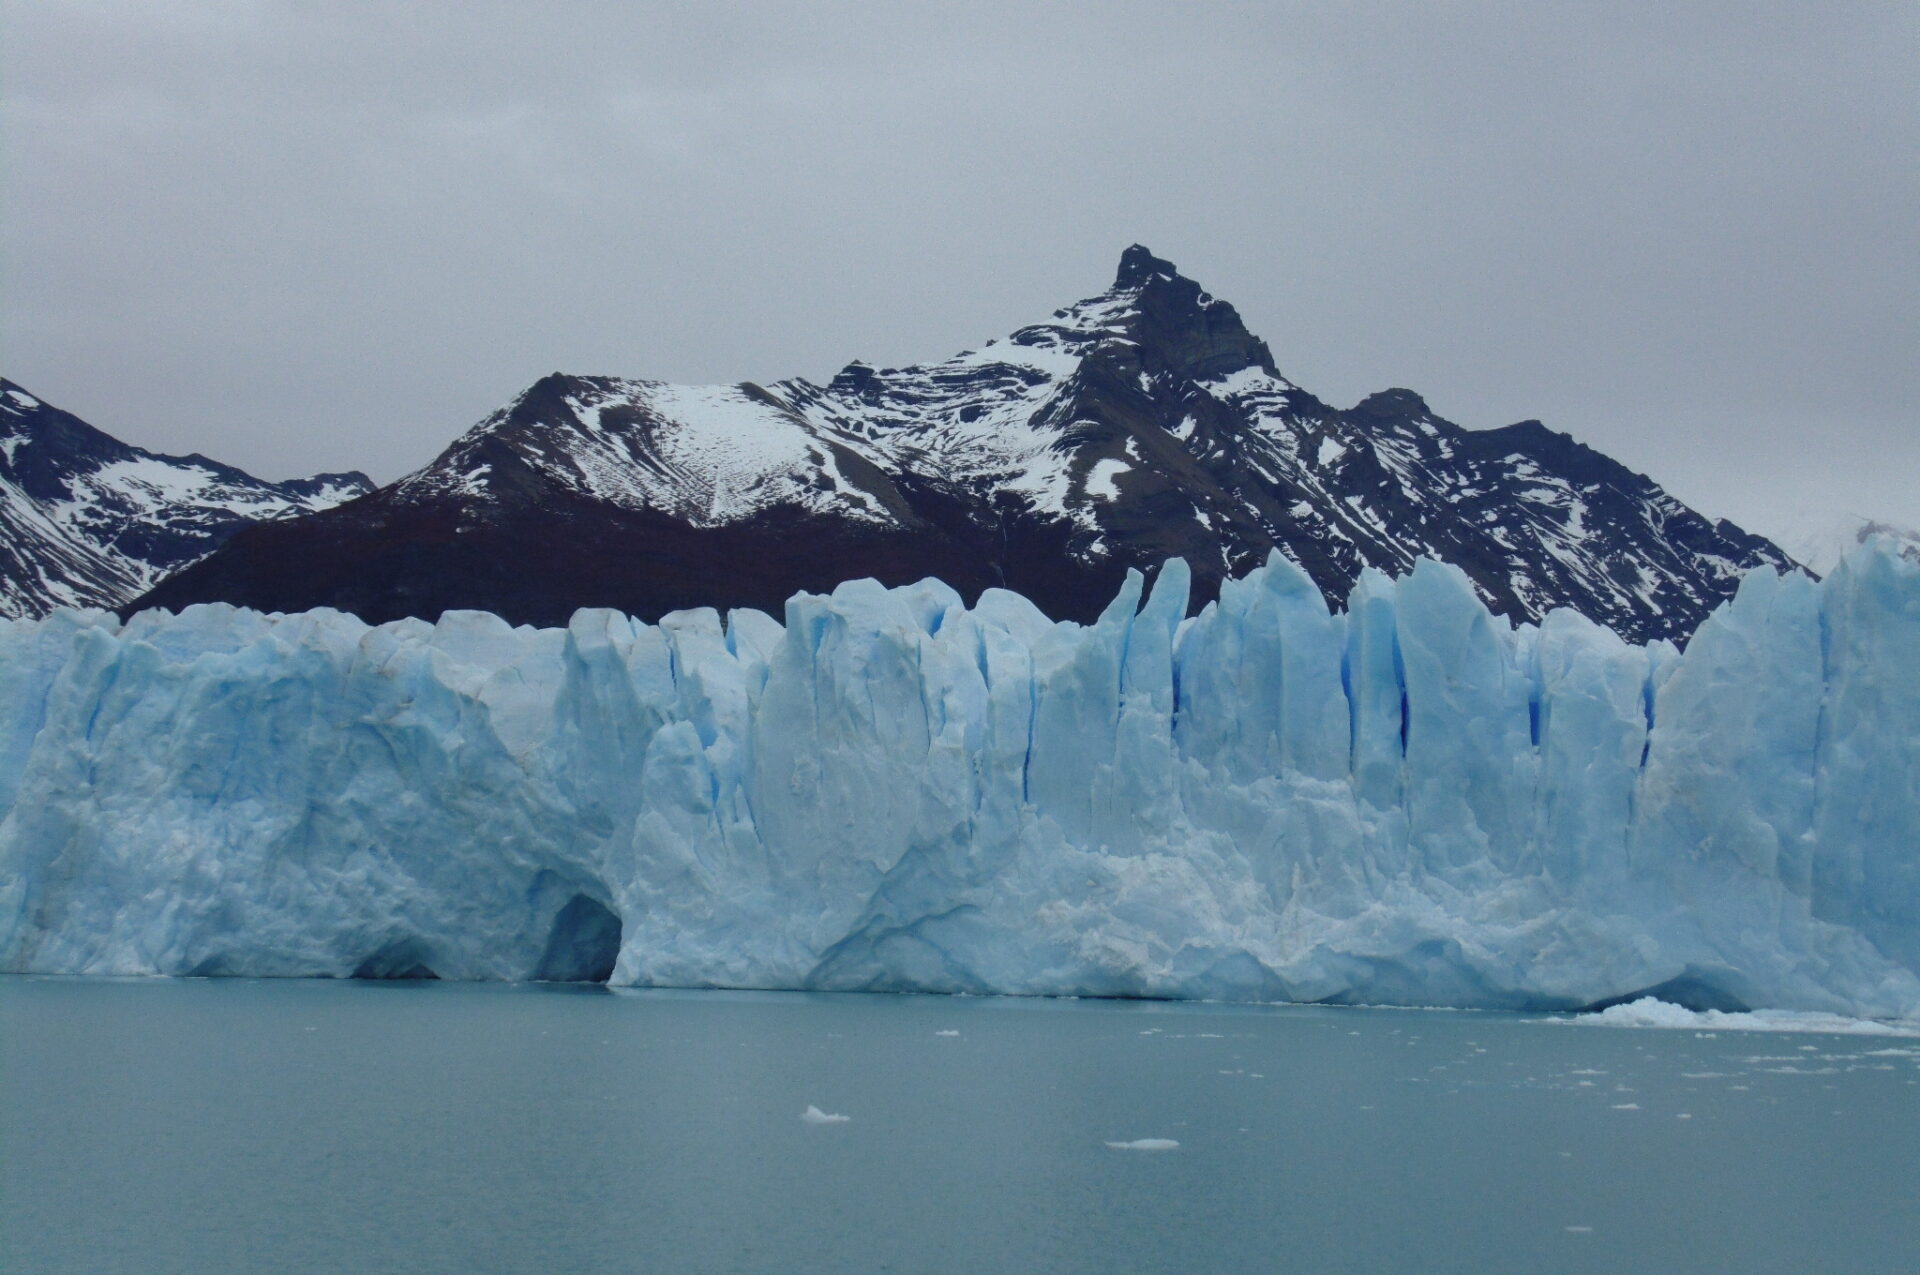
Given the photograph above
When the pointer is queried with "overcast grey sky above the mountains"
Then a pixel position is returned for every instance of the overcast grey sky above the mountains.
(306, 237)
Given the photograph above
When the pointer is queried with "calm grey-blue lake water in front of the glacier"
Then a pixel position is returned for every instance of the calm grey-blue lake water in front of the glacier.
(310, 1126)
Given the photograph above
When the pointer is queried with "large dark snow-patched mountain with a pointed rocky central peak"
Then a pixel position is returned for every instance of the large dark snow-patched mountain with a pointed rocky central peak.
(1134, 427)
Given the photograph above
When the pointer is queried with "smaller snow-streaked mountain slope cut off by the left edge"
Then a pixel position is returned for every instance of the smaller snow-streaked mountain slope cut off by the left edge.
(87, 521)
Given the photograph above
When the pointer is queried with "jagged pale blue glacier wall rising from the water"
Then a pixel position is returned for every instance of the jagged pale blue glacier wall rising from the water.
(1406, 802)
